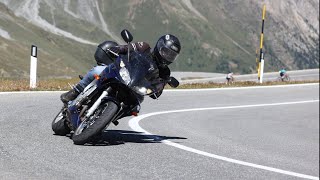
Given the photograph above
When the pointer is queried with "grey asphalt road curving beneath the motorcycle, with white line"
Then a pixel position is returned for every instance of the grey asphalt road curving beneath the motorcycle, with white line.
(236, 133)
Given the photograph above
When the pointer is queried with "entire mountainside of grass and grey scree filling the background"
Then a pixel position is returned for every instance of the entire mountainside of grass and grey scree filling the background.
(216, 36)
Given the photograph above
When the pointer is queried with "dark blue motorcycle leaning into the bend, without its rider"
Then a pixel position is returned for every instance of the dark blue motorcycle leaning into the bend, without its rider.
(116, 93)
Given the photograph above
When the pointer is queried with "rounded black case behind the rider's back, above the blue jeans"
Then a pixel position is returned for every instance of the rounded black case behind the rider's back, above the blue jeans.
(103, 56)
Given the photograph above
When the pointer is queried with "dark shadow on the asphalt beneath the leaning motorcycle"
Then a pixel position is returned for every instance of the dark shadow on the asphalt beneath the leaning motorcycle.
(117, 137)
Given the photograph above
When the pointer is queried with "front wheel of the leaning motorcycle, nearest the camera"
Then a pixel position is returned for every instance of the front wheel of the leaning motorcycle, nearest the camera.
(95, 124)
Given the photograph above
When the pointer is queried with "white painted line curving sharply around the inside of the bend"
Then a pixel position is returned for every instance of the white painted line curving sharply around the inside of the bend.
(134, 124)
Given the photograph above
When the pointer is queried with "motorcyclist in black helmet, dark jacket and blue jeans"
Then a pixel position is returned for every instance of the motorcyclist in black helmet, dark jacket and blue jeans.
(164, 53)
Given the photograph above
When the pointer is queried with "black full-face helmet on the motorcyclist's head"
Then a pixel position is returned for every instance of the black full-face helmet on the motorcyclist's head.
(167, 49)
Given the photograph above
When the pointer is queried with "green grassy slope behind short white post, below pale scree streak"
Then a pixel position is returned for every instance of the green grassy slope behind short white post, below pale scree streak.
(57, 56)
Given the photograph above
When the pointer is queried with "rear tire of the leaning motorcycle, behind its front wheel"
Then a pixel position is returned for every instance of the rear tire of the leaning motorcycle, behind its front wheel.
(59, 124)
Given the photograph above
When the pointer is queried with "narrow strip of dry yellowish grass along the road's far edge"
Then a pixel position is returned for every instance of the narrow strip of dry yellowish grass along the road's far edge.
(63, 84)
